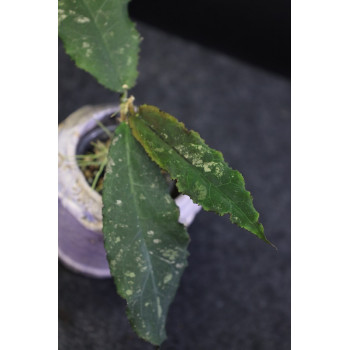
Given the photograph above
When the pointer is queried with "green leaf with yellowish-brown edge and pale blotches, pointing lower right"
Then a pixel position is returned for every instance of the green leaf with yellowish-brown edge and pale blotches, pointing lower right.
(200, 171)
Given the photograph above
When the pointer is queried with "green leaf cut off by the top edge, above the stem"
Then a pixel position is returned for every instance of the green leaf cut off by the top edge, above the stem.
(101, 39)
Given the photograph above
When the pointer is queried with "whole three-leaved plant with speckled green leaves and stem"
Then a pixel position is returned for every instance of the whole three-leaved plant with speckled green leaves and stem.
(146, 245)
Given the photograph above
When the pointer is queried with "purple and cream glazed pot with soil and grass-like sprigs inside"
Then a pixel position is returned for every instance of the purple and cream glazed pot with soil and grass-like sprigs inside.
(83, 140)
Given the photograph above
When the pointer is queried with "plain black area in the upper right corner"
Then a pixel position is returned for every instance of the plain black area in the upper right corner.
(256, 31)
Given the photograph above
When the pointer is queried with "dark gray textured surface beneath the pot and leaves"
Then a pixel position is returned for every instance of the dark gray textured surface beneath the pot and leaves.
(235, 294)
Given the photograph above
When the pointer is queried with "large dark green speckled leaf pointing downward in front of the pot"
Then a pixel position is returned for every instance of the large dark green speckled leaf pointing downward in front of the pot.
(145, 244)
